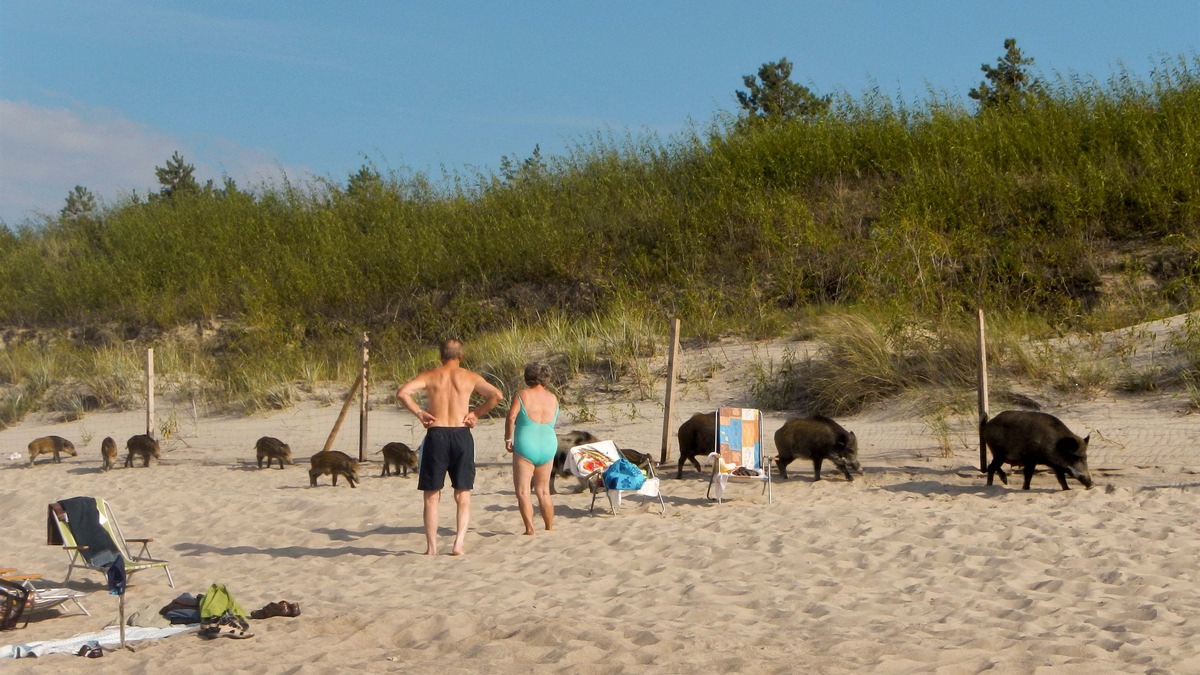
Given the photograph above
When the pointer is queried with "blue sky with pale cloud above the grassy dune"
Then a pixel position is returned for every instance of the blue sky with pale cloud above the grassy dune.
(99, 94)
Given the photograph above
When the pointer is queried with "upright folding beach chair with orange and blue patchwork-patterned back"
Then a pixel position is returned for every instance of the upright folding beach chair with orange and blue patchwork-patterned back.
(739, 455)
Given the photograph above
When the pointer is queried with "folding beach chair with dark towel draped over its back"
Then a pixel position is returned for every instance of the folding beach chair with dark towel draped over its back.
(88, 531)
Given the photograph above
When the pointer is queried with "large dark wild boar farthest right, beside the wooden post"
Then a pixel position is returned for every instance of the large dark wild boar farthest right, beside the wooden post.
(1029, 439)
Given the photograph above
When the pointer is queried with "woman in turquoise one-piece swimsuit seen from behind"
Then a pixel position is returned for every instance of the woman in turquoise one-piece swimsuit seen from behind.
(530, 435)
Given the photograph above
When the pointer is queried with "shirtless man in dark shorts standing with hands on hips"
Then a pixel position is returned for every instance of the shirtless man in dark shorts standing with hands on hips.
(448, 445)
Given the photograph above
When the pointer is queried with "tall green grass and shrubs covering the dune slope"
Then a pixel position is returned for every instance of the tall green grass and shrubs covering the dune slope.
(919, 212)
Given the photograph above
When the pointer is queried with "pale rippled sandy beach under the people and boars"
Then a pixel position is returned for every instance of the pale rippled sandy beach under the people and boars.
(915, 568)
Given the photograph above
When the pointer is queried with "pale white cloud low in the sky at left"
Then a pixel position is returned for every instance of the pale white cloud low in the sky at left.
(46, 152)
